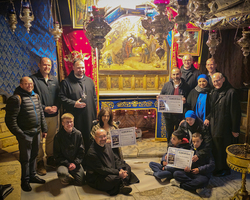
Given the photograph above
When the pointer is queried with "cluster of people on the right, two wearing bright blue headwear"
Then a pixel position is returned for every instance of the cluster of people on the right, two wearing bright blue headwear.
(211, 123)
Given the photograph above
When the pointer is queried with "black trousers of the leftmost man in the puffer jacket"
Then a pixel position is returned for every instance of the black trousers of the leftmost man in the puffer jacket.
(28, 148)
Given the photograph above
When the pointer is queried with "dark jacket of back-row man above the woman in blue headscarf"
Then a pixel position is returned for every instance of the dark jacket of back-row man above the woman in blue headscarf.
(190, 76)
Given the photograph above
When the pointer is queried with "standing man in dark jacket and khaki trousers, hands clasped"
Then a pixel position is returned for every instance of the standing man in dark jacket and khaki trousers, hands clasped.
(47, 87)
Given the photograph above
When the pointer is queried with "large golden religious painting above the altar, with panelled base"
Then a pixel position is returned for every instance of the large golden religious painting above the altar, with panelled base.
(128, 59)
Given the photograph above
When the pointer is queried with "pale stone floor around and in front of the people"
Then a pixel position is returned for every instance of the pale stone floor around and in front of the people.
(149, 188)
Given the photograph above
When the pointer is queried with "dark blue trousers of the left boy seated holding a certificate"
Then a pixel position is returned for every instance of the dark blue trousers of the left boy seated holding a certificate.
(159, 173)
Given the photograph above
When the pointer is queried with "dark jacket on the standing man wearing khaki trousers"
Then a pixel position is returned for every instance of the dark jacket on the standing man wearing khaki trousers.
(48, 92)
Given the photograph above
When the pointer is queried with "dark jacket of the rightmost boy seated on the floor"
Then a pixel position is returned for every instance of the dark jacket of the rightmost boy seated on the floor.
(205, 164)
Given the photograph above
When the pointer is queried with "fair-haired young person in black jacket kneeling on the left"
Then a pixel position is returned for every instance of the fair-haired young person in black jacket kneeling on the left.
(69, 152)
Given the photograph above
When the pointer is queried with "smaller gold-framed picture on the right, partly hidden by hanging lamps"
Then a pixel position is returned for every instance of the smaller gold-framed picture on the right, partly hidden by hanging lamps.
(197, 48)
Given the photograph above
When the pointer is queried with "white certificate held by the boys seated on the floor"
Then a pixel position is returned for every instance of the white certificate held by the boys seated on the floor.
(179, 158)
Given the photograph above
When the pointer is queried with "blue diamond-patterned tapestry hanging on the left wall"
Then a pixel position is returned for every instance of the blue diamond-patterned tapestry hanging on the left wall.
(20, 52)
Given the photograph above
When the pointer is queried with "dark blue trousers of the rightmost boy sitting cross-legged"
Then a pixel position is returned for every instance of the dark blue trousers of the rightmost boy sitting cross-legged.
(191, 181)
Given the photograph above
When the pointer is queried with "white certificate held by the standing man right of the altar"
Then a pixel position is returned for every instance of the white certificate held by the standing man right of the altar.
(170, 104)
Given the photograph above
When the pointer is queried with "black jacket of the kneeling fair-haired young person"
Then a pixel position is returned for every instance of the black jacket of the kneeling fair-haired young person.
(68, 148)
